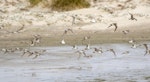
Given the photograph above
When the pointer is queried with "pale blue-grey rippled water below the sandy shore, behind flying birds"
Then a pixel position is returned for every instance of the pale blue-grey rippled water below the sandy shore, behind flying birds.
(61, 64)
